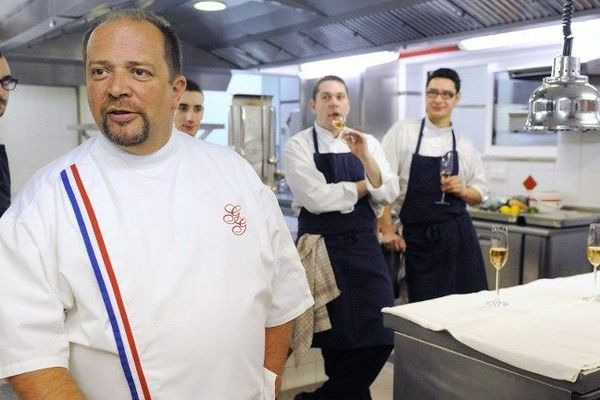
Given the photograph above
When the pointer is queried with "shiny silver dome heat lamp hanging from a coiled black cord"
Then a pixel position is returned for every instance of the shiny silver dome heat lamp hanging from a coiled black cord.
(565, 101)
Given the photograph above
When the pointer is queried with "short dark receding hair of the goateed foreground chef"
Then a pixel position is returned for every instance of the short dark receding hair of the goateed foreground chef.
(172, 45)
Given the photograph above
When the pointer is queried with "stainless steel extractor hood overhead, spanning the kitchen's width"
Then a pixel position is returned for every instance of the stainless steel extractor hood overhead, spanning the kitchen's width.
(257, 33)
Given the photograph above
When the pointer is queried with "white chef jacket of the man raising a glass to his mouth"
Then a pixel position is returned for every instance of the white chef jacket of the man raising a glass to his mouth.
(309, 186)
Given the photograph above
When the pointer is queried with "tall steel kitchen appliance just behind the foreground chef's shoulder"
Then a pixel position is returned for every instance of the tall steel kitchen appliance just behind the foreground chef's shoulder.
(252, 135)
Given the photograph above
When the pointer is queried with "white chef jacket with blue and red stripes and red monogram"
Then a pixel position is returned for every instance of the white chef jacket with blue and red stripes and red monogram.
(199, 281)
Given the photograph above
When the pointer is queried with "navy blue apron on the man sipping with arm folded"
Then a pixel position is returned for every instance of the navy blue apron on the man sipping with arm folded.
(357, 261)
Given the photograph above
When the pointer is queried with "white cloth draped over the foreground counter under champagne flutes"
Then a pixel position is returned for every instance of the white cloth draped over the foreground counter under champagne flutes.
(547, 328)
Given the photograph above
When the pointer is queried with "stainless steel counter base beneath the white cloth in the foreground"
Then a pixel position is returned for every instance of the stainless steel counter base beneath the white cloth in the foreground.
(433, 365)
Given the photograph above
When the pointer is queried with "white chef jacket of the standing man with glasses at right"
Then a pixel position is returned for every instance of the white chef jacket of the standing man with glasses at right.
(400, 143)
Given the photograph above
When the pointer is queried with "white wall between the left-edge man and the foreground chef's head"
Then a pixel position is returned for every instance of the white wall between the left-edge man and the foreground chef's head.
(34, 129)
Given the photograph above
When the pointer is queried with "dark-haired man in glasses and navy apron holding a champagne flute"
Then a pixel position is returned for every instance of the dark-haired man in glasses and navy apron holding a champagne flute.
(442, 250)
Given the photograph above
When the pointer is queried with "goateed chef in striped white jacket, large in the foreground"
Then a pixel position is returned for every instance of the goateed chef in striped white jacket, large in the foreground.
(145, 264)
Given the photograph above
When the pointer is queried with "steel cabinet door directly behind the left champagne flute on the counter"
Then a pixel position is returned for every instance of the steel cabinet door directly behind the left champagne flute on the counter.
(510, 275)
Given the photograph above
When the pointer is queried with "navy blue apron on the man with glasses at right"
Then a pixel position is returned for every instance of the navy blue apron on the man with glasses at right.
(442, 250)
